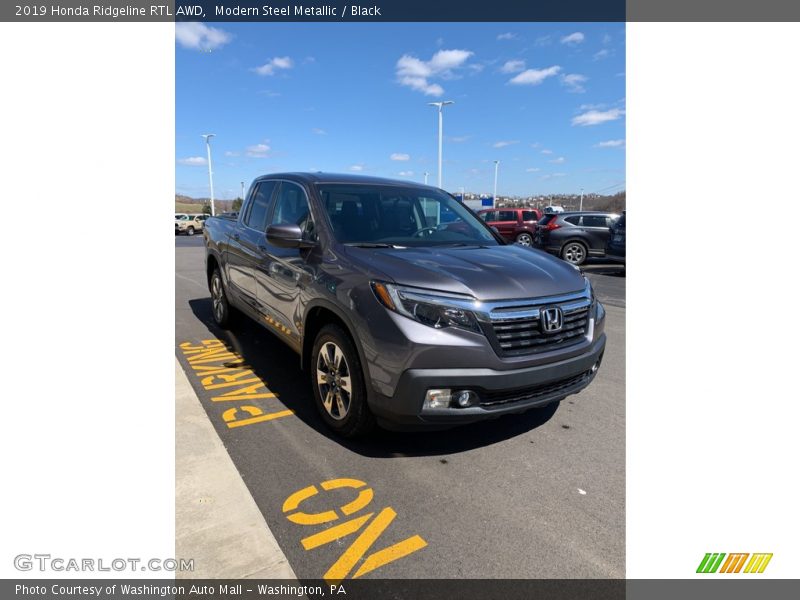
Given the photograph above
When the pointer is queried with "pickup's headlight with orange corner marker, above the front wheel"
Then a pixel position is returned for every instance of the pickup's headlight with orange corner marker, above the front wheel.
(433, 310)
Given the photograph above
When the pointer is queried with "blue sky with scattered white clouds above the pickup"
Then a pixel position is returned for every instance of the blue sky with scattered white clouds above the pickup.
(545, 99)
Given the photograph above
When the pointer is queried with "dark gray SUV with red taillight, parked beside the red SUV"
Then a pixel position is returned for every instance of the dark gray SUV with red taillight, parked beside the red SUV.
(575, 236)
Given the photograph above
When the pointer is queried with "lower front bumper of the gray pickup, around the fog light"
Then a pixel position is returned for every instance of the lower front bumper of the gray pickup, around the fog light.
(501, 392)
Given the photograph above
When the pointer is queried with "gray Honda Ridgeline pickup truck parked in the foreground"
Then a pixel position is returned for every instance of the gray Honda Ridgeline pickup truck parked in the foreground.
(406, 309)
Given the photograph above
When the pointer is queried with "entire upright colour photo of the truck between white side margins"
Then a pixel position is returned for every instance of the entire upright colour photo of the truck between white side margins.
(400, 300)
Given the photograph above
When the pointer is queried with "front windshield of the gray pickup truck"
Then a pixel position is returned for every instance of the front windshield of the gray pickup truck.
(365, 214)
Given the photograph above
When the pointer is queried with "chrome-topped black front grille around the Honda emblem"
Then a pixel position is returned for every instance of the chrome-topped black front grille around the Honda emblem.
(519, 330)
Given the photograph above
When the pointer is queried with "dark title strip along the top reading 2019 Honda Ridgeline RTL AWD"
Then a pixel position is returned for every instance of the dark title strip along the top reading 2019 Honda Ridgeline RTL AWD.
(399, 10)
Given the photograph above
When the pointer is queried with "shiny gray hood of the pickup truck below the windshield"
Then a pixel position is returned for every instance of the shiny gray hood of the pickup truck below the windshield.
(488, 273)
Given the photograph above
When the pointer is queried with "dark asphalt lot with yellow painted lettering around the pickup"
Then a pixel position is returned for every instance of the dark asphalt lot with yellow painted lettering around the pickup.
(539, 495)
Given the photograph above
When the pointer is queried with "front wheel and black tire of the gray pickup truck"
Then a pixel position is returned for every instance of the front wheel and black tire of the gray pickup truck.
(333, 394)
